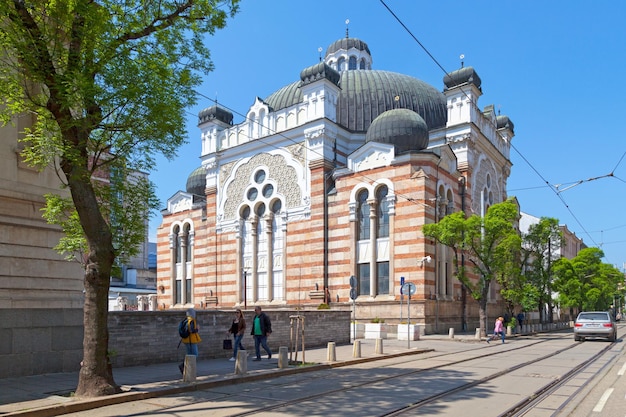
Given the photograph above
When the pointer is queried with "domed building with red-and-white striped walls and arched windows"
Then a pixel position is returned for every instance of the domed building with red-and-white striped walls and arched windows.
(329, 177)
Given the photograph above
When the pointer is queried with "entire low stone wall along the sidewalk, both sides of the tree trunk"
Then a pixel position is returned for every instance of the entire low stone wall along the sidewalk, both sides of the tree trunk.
(43, 341)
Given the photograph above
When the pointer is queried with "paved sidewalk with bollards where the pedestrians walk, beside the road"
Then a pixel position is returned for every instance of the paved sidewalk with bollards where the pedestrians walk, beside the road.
(50, 395)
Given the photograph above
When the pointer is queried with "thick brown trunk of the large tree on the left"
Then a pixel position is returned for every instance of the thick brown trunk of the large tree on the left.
(95, 376)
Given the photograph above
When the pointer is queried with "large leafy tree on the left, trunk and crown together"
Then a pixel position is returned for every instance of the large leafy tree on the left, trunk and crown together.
(107, 83)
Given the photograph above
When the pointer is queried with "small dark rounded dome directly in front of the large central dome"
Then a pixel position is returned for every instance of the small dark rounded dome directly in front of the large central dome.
(403, 128)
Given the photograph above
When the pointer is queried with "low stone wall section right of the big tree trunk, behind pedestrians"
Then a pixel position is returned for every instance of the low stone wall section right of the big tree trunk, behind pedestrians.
(146, 337)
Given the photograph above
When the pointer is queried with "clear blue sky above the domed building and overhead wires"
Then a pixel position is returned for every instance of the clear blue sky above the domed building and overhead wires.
(555, 68)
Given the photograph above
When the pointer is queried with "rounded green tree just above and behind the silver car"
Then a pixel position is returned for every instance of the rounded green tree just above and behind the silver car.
(586, 283)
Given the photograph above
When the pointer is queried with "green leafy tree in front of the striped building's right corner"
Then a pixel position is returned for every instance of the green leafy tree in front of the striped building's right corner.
(490, 245)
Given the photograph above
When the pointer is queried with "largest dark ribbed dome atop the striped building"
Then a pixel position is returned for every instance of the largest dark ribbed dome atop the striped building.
(365, 94)
